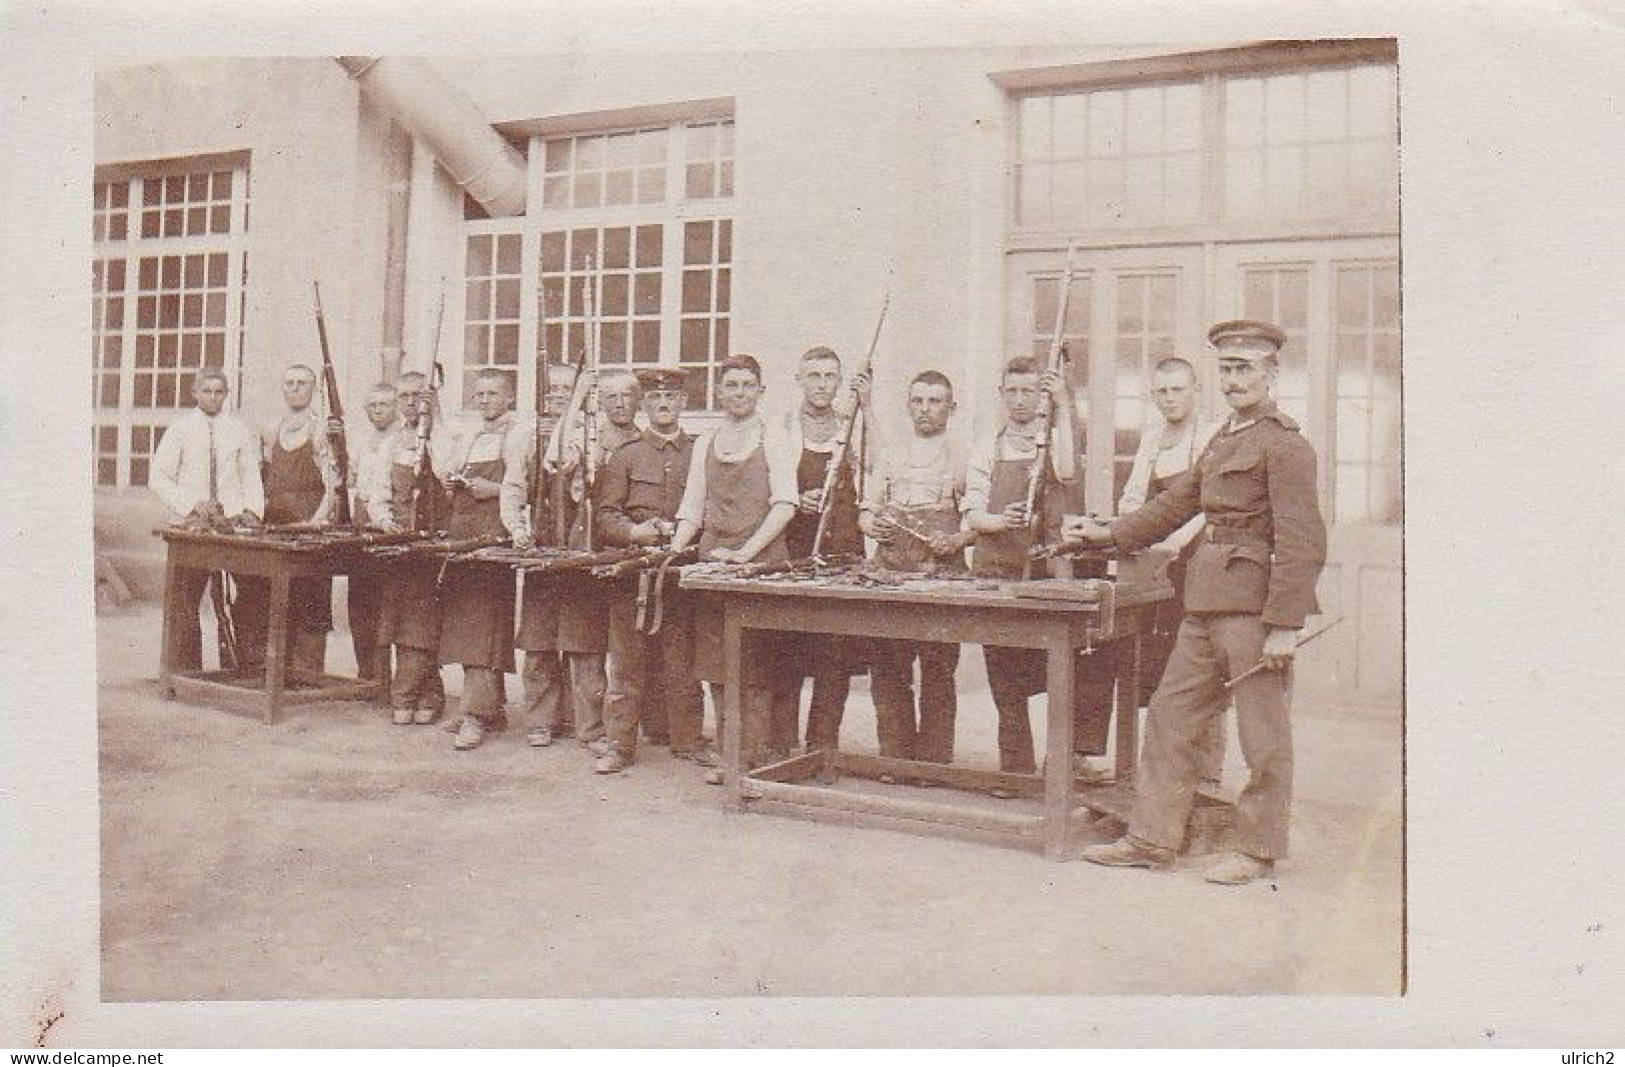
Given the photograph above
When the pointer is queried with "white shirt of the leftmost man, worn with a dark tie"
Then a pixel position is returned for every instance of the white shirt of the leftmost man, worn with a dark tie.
(180, 473)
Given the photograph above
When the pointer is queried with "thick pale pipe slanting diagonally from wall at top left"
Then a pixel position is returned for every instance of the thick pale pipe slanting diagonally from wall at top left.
(451, 124)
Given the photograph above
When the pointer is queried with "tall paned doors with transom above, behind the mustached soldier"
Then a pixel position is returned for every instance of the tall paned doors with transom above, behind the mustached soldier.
(1255, 183)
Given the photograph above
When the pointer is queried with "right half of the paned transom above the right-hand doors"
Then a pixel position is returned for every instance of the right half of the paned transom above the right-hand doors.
(1311, 145)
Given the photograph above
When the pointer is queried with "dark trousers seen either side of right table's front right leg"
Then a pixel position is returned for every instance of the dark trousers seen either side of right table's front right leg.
(1015, 675)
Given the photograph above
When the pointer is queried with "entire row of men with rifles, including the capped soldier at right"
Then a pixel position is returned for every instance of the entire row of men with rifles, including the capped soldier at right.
(1234, 501)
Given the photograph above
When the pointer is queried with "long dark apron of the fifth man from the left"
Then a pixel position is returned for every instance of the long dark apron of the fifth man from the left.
(479, 598)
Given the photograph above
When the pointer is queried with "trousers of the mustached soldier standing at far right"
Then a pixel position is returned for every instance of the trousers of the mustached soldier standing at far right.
(1190, 699)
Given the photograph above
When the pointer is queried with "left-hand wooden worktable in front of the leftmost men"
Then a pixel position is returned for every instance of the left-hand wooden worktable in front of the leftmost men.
(280, 561)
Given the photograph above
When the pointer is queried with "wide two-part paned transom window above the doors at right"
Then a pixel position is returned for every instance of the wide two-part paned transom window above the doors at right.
(1281, 147)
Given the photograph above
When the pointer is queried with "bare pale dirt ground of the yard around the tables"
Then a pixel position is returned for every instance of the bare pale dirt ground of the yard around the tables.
(336, 855)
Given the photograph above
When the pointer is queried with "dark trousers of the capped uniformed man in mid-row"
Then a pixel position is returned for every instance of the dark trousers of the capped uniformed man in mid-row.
(651, 681)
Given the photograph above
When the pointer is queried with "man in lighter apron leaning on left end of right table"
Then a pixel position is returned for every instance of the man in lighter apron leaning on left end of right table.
(740, 496)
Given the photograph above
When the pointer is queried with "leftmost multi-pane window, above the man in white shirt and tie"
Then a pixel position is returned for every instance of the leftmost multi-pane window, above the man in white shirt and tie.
(167, 300)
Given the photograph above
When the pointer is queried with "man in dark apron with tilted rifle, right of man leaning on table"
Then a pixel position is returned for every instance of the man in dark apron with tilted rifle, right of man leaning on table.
(813, 431)
